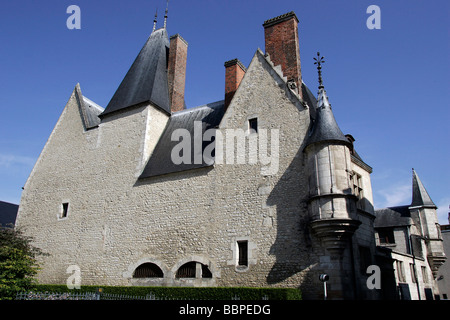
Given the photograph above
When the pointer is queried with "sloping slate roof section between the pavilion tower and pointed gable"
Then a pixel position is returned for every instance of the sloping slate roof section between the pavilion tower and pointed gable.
(160, 162)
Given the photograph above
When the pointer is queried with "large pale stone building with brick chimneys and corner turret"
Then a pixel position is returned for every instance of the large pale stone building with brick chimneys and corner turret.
(259, 189)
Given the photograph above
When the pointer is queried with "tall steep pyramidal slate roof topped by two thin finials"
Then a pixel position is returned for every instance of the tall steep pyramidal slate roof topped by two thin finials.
(146, 80)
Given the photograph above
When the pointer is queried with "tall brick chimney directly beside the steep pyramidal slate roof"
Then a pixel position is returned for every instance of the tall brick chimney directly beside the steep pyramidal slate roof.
(177, 72)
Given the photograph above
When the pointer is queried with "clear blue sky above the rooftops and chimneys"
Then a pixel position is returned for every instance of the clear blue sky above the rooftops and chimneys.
(389, 88)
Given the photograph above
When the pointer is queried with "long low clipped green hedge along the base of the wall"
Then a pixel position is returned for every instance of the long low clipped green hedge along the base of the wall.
(207, 293)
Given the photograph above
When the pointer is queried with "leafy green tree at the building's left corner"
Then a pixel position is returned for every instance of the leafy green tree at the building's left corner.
(18, 265)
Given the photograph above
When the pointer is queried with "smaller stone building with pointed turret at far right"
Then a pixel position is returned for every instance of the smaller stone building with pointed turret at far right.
(410, 236)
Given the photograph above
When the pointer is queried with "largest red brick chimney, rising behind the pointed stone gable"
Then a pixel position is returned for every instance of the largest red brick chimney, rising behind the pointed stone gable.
(281, 38)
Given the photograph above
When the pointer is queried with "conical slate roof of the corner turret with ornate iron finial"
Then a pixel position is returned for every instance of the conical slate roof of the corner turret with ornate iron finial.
(325, 127)
